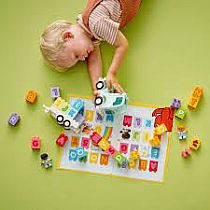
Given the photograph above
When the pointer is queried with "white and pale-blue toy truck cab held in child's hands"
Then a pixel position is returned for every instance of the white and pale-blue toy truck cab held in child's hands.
(106, 100)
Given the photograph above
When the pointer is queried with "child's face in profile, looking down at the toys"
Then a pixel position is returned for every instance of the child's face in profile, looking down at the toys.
(77, 49)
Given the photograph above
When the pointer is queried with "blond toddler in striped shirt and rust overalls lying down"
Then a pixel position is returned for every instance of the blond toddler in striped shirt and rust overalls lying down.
(64, 44)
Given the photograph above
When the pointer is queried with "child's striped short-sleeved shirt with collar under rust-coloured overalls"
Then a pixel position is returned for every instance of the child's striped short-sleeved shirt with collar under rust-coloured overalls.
(104, 21)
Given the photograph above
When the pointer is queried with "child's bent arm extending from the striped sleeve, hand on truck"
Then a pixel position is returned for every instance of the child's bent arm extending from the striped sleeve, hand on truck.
(121, 45)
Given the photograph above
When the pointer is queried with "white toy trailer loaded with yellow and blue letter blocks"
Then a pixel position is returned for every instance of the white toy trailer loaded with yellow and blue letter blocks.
(67, 116)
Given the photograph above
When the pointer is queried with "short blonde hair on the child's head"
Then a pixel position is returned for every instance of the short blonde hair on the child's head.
(52, 43)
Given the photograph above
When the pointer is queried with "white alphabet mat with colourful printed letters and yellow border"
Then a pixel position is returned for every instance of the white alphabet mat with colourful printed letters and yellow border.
(122, 134)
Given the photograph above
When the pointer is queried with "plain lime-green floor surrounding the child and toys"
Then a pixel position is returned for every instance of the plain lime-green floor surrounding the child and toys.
(169, 54)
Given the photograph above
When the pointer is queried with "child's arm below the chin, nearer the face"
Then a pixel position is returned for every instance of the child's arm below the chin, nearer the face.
(95, 67)
